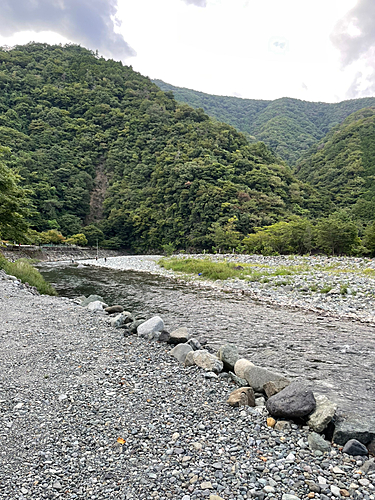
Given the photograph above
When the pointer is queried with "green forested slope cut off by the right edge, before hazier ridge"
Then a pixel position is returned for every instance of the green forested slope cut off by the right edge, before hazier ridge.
(343, 165)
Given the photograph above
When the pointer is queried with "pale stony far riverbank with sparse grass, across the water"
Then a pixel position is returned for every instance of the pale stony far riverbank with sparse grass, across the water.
(342, 287)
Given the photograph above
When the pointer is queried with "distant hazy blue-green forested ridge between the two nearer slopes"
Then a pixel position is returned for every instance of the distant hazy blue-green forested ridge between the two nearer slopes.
(288, 126)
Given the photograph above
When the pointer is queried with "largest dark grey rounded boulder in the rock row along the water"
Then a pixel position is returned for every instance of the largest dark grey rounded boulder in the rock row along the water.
(295, 401)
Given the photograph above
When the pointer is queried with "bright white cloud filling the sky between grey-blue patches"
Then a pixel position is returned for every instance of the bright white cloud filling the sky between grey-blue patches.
(256, 49)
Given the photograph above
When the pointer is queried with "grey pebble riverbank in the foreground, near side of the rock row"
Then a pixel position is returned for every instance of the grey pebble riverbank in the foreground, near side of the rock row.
(89, 413)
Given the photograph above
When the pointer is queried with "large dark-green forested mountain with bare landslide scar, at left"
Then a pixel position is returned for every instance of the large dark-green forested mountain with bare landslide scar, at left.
(98, 142)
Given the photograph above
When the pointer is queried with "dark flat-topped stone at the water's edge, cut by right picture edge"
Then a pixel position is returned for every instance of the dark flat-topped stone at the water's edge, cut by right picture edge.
(361, 429)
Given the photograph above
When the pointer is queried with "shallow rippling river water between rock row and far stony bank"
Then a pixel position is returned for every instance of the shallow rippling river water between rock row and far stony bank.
(336, 356)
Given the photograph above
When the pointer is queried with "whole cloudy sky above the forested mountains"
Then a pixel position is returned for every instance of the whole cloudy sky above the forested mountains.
(315, 50)
